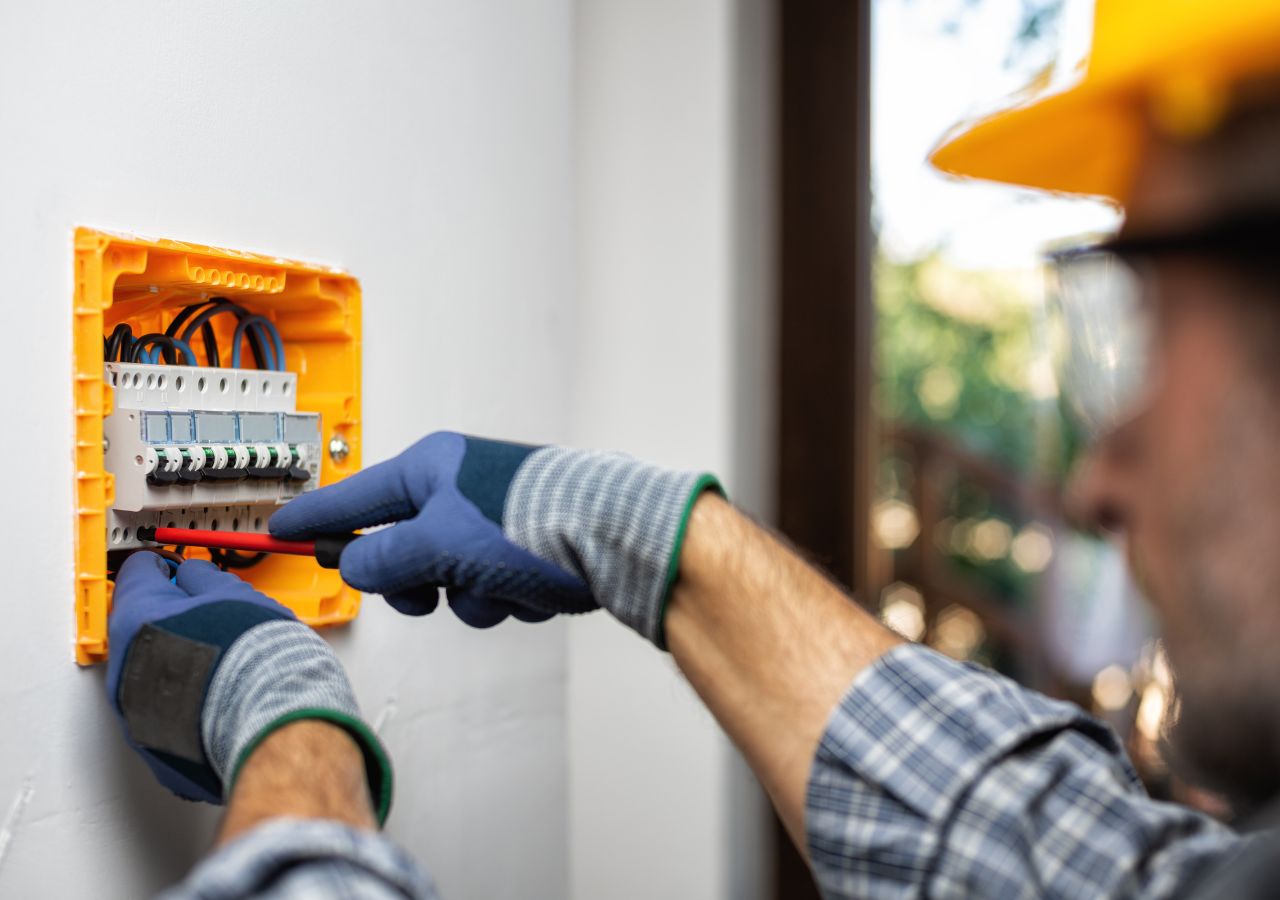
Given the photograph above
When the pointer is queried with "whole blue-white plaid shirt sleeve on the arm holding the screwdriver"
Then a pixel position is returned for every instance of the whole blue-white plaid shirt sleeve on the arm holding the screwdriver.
(944, 779)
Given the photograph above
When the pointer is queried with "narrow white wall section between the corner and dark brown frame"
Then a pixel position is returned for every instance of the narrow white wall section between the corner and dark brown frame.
(674, 180)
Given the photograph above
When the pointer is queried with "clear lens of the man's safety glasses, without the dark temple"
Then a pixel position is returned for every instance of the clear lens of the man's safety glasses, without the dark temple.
(1101, 337)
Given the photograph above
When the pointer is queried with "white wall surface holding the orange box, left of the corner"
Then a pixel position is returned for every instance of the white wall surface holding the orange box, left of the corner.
(427, 148)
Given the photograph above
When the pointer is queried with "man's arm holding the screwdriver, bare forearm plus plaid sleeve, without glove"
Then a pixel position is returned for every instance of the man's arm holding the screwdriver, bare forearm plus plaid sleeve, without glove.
(924, 774)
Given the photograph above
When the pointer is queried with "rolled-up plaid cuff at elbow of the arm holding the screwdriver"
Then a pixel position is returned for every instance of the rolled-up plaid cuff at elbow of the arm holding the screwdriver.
(908, 741)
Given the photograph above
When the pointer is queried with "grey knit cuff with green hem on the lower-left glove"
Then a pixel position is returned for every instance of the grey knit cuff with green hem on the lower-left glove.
(276, 674)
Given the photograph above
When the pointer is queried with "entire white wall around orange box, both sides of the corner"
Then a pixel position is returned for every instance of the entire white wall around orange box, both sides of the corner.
(431, 149)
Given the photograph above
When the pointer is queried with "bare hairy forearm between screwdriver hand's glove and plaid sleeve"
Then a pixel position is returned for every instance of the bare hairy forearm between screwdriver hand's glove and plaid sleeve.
(769, 643)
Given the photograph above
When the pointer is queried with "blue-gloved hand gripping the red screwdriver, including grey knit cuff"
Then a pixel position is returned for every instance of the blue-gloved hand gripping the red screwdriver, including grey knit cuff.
(509, 529)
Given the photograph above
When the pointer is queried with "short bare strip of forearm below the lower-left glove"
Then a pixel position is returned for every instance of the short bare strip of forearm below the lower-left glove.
(308, 770)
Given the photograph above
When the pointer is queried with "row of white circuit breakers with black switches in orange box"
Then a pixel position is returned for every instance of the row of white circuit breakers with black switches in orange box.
(204, 449)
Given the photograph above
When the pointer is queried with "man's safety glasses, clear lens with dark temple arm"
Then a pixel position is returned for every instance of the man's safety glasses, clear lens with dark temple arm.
(1101, 325)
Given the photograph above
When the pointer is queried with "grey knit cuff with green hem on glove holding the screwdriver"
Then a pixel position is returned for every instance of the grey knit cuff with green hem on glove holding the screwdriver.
(616, 523)
